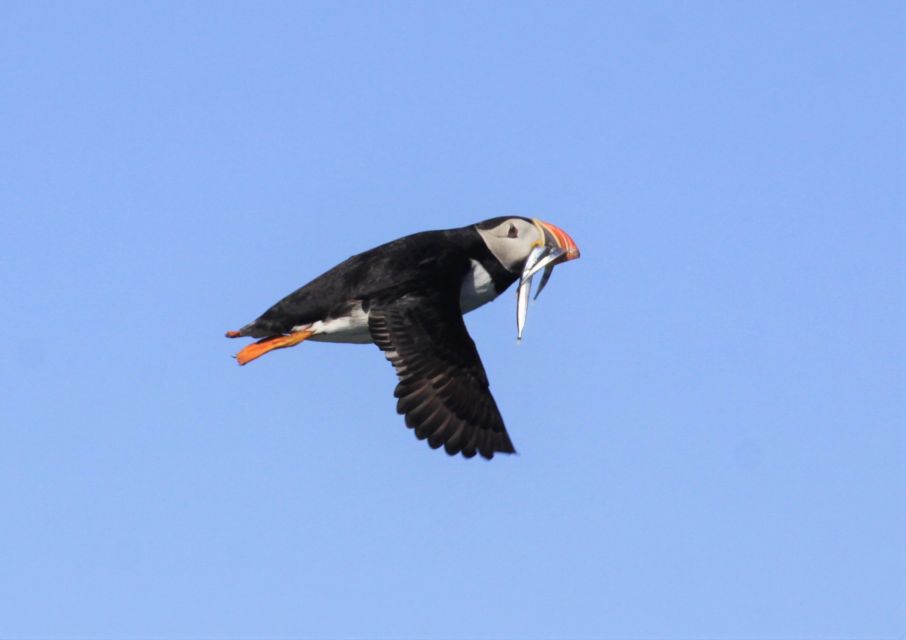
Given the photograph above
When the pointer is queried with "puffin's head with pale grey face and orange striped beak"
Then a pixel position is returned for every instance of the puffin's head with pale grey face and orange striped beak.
(515, 239)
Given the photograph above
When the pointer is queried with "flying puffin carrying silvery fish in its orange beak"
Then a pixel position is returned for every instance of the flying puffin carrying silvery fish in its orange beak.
(408, 297)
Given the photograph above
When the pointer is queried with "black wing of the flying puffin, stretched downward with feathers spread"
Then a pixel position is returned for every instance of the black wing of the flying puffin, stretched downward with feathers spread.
(443, 389)
